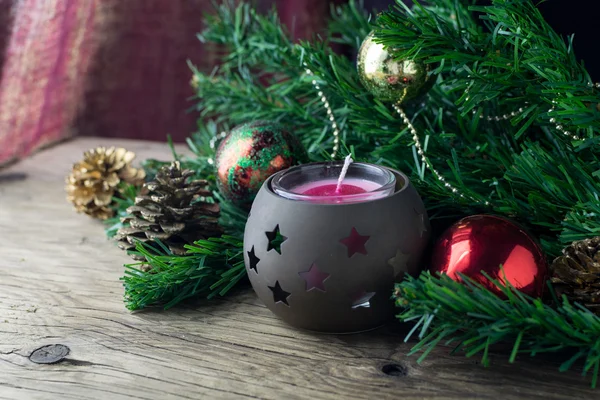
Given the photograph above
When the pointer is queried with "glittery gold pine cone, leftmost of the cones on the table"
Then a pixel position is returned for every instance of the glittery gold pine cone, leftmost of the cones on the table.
(94, 180)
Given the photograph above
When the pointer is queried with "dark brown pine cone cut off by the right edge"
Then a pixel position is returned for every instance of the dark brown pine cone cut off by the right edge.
(576, 273)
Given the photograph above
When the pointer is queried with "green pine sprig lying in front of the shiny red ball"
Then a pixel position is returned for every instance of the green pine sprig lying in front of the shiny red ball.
(472, 319)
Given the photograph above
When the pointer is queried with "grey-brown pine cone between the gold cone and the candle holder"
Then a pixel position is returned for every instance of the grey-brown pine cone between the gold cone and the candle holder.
(172, 209)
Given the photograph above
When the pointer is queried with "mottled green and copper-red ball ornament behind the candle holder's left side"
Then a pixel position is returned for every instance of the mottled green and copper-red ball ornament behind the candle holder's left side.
(251, 153)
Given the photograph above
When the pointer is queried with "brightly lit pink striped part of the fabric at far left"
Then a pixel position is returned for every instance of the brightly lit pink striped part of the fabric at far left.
(45, 62)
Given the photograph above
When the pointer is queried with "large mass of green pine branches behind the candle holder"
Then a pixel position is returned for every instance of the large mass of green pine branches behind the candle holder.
(507, 57)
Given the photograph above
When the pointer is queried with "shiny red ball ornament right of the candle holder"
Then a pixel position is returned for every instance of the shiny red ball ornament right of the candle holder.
(496, 246)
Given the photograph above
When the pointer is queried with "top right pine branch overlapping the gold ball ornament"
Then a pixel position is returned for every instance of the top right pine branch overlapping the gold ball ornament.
(517, 59)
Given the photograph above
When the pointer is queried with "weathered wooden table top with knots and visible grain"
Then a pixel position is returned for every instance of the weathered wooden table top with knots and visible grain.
(59, 284)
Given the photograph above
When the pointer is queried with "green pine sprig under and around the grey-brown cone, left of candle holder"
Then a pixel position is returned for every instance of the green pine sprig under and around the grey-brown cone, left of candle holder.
(210, 268)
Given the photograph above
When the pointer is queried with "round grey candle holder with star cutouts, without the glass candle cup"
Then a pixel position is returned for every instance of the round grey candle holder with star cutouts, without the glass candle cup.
(332, 267)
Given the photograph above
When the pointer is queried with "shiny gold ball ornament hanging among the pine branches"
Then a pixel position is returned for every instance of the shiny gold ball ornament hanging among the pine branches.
(389, 79)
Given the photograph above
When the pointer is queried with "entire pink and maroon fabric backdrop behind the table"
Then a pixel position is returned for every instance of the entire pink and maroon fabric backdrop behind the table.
(107, 67)
